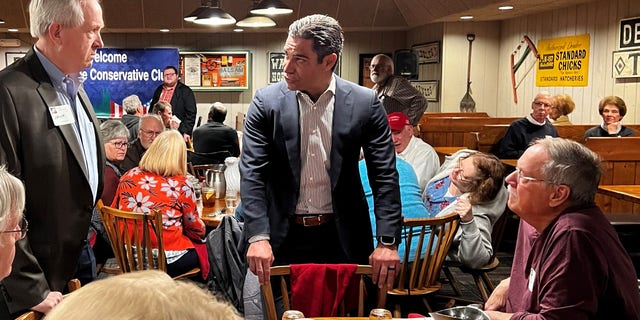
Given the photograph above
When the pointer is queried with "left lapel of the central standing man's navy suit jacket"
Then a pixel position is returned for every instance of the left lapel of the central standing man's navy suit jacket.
(290, 122)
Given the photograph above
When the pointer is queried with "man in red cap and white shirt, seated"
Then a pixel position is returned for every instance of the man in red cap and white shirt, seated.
(420, 155)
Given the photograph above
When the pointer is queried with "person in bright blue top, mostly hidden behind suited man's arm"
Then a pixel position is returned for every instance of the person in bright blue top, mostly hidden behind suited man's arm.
(412, 205)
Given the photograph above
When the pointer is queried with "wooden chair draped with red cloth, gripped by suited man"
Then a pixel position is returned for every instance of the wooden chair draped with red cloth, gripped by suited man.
(282, 273)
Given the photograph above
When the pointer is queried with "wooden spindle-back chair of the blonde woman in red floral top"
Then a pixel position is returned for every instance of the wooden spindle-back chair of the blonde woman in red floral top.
(130, 234)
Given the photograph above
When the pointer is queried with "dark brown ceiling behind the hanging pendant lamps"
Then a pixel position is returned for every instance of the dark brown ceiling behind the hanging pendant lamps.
(149, 16)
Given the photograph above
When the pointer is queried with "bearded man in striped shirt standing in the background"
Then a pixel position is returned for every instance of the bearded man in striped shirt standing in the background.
(395, 92)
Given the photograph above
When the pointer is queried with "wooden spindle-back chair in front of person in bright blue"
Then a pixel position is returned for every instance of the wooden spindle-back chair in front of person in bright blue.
(421, 276)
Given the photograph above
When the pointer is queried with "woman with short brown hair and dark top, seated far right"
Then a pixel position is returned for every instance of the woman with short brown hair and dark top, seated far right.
(612, 109)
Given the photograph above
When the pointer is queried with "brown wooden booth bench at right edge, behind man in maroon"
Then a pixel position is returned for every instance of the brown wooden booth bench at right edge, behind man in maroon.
(621, 165)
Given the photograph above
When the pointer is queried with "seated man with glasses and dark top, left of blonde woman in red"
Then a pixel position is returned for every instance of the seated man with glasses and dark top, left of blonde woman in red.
(150, 127)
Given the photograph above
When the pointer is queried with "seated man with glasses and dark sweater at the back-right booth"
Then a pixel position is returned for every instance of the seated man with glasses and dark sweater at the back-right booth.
(522, 132)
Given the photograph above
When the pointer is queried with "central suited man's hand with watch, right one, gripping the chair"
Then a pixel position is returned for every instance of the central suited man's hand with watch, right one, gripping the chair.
(385, 262)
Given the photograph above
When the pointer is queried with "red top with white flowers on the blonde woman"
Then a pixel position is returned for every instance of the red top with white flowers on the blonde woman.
(143, 191)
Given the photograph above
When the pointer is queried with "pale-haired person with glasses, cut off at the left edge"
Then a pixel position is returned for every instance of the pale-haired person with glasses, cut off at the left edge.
(13, 226)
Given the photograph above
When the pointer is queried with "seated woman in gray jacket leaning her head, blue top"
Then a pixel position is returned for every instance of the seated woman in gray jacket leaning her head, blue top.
(470, 183)
